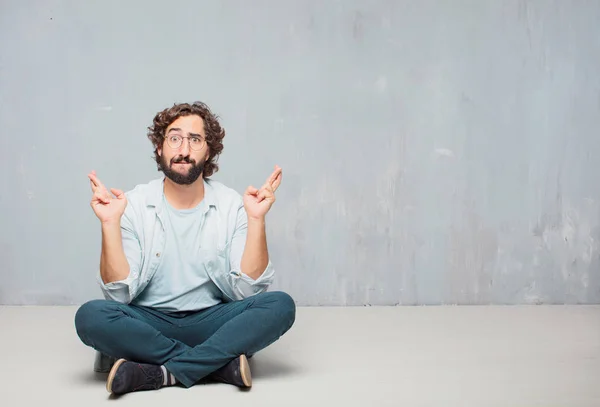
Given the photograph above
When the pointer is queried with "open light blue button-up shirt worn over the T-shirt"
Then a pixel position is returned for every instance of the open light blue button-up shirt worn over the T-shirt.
(219, 253)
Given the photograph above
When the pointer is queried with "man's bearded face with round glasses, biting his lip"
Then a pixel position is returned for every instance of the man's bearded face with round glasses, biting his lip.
(184, 164)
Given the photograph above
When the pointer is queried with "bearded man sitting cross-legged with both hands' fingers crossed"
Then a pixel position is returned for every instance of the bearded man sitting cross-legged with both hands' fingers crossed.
(184, 267)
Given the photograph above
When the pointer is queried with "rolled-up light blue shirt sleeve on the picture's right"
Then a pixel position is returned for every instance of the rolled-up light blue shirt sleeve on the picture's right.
(243, 284)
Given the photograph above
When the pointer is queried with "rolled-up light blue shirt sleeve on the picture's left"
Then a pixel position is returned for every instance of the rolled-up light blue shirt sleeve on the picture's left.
(125, 290)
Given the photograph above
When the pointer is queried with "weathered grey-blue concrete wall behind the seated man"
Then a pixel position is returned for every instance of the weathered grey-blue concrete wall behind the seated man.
(434, 152)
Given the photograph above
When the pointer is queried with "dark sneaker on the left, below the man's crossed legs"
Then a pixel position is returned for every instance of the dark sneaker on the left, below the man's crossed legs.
(125, 377)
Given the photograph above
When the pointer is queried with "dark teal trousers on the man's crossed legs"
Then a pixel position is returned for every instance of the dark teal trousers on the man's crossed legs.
(191, 345)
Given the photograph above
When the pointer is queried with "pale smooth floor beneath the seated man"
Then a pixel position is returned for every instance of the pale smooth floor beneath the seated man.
(366, 356)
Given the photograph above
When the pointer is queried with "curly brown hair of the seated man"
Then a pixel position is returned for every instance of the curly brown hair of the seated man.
(212, 128)
